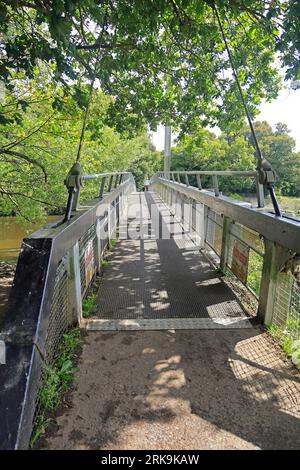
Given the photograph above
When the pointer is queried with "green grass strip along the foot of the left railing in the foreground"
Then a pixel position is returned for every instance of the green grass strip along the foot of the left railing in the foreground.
(56, 381)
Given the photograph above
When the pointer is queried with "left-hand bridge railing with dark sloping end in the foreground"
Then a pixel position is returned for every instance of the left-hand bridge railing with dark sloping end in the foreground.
(55, 269)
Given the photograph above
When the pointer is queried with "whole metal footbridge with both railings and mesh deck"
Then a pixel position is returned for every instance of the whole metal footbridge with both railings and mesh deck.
(185, 257)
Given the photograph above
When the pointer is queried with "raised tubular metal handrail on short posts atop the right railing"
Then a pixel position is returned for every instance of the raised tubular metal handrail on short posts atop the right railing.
(173, 175)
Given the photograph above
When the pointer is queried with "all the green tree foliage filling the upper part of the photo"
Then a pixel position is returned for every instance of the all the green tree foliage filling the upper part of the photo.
(153, 61)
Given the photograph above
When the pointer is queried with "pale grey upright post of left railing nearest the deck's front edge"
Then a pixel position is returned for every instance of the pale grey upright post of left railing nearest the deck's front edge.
(75, 285)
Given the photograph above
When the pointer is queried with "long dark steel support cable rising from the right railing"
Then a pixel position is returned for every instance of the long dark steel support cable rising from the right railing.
(265, 170)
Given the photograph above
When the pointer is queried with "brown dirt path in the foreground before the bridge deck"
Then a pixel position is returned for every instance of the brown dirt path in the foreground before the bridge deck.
(200, 389)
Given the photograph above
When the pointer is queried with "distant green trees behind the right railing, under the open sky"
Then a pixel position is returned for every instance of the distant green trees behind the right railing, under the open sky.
(204, 151)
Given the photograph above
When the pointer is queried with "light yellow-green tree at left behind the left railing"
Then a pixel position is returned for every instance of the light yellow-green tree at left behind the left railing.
(38, 150)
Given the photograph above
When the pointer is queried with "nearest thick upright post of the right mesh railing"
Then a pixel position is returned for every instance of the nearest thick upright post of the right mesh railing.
(274, 259)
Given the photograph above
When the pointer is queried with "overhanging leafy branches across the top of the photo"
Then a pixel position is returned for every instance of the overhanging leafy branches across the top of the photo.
(159, 60)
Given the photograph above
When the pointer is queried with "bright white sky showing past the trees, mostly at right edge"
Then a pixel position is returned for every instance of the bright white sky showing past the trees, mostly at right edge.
(286, 109)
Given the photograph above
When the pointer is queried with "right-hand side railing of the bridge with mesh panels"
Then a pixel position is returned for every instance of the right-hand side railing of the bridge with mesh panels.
(250, 244)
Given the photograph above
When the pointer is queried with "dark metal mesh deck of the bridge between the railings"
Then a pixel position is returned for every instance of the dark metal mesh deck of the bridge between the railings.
(161, 278)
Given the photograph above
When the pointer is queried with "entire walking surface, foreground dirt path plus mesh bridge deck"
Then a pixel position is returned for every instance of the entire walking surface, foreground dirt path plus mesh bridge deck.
(174, 383)
